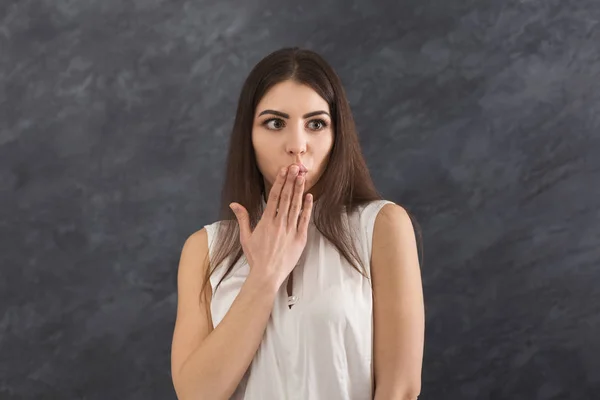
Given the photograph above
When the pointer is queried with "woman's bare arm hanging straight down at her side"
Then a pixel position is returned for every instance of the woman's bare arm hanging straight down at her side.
(398, 306)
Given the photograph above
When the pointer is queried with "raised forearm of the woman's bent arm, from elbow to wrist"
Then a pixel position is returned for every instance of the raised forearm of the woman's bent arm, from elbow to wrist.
(214, 369)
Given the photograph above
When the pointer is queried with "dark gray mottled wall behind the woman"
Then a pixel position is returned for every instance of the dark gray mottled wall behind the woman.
(481, 117)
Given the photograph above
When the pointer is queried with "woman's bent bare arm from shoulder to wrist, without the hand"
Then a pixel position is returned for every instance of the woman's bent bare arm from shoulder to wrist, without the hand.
(207, 363)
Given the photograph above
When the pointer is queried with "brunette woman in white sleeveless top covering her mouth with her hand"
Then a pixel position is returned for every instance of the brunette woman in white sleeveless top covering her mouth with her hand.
(311, 288)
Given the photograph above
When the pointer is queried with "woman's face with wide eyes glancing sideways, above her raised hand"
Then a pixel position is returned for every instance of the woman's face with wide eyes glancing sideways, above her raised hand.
(292, 124)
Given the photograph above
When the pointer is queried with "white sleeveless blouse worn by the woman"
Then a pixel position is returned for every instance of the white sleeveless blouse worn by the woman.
(321, 348)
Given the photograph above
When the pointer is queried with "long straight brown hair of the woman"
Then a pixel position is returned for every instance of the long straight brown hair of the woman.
(346, 176)
